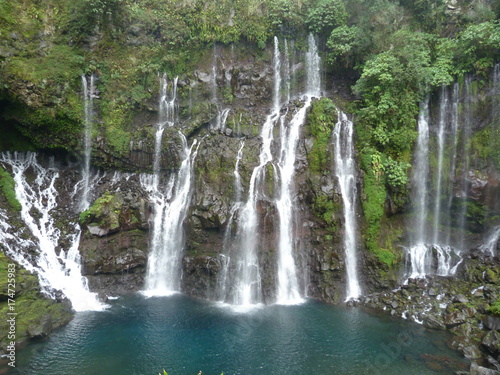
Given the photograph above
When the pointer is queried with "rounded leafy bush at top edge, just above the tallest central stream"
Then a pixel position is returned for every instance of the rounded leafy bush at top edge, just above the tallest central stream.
(326, 15)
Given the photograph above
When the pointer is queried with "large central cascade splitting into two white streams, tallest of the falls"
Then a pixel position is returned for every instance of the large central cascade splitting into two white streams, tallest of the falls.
(243, 278)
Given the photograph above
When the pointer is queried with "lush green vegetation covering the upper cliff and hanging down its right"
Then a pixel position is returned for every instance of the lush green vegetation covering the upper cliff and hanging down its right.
(394, 51)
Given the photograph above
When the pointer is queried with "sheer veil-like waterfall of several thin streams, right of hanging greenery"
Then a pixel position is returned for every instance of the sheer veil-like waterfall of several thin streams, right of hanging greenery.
(440, 193)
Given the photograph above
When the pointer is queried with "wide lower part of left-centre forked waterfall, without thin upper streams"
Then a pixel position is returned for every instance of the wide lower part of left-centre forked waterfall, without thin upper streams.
(167, 241)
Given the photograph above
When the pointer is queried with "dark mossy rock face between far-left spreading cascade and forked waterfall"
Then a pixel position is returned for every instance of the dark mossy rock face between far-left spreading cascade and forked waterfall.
(114, 242)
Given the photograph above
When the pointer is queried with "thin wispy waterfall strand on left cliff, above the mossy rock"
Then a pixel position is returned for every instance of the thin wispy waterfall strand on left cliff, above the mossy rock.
(88, 97)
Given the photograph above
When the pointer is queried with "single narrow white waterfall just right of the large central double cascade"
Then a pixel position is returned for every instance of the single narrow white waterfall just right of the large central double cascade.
(345, 171)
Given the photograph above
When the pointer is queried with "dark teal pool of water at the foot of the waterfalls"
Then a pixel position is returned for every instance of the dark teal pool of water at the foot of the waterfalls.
(142, 336)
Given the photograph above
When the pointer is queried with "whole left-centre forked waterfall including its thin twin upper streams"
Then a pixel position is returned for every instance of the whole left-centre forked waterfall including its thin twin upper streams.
(170, 203)
